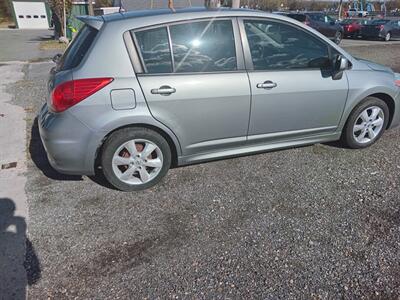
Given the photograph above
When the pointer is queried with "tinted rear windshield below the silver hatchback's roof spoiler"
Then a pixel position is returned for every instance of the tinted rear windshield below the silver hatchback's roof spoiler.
(78, 48)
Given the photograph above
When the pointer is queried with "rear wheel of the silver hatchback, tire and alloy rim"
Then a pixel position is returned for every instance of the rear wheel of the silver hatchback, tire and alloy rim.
(120, 148)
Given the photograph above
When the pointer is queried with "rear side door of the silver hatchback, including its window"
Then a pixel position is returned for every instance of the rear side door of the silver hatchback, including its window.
(195, 82)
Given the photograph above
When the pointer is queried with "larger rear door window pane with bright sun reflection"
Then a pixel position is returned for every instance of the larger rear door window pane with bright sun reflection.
(206, 46)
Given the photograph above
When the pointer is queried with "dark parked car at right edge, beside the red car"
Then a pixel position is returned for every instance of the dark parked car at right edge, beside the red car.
(384, 29)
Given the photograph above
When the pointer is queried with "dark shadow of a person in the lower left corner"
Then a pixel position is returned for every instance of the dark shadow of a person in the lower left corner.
(19, 265)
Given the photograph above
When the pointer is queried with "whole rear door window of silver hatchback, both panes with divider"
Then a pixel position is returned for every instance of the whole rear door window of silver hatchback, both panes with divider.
(200, 46)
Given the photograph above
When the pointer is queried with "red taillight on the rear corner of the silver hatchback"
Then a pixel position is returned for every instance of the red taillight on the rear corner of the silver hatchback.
(72, 92)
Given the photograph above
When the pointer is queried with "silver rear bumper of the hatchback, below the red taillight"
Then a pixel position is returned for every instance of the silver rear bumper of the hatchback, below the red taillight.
(70, 145)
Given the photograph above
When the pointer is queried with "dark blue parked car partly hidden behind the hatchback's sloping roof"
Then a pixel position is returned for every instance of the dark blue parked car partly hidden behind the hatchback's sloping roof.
(320, 22)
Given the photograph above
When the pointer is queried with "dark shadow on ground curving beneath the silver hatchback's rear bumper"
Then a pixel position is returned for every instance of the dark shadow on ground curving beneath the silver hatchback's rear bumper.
(39, 157)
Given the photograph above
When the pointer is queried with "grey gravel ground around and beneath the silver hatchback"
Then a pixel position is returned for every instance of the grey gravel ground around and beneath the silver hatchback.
(311, 222)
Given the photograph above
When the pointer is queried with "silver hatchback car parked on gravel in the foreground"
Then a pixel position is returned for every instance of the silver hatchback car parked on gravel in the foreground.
(136, 93)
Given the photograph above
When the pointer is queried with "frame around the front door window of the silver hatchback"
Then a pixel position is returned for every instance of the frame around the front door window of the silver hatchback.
(247, 52)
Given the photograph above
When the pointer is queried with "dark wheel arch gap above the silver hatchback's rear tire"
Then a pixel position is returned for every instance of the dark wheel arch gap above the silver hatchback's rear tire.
(172, 145)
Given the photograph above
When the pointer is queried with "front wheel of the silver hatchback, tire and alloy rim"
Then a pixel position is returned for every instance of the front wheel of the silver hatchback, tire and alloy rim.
(354, 138)
